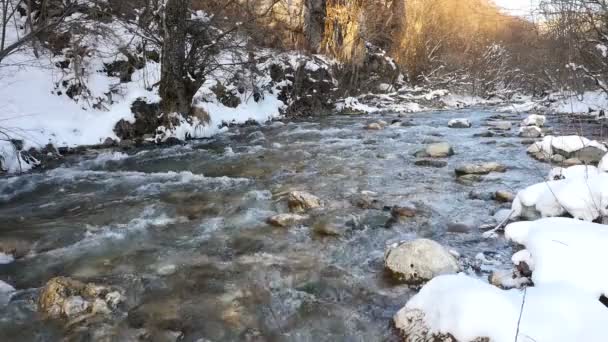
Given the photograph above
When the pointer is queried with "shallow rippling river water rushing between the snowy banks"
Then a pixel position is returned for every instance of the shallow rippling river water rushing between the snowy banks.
(183, 229)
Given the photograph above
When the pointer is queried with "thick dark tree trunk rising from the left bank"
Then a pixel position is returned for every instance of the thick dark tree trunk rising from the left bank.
(174, 89)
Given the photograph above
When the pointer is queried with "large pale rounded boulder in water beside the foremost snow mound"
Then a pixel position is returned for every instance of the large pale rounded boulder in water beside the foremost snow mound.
(415, 262)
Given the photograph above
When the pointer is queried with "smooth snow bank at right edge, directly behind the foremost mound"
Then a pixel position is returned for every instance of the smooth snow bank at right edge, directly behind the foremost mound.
(565, 251)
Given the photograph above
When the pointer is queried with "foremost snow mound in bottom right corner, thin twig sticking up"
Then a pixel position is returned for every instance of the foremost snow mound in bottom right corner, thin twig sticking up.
(469, 308)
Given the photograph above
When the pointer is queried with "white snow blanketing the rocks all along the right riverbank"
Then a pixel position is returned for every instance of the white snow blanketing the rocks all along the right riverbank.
(565, 256)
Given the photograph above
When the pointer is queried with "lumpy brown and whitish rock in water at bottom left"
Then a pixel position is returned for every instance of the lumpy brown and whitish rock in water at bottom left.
(67, 298)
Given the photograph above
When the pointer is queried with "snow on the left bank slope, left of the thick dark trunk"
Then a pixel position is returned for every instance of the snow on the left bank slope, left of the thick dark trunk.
(36, 109)
